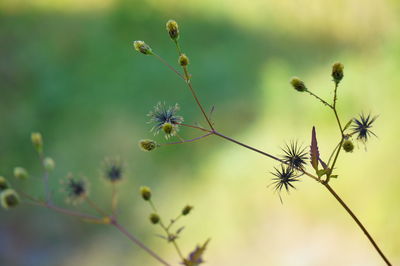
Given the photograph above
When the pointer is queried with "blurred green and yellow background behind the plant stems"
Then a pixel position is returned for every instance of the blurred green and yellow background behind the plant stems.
(68, 70)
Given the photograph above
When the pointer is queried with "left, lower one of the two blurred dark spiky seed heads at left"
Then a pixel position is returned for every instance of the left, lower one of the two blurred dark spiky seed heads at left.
(76, 189)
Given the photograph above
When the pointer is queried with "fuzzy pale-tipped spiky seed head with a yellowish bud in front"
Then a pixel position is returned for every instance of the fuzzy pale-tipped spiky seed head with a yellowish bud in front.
(165, 119)
